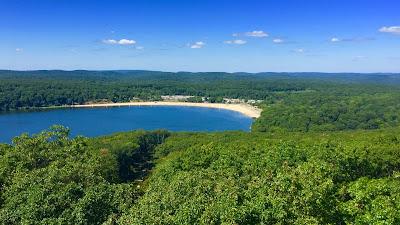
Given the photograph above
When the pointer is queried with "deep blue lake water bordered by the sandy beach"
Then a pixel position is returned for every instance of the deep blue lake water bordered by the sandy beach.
(101, 121)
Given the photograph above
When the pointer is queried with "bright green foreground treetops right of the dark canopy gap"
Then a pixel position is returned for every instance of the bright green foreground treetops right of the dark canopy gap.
(238, 178)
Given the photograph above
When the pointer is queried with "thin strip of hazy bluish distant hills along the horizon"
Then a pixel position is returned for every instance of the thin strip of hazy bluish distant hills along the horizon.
(380, 78)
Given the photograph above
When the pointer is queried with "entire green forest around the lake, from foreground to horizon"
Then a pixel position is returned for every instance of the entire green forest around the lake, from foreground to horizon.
(326, 150)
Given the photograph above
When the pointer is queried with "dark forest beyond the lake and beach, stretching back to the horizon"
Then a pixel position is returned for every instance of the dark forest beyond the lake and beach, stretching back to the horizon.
(26, 89)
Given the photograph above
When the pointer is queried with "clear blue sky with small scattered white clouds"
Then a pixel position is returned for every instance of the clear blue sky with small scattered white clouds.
(206, 35)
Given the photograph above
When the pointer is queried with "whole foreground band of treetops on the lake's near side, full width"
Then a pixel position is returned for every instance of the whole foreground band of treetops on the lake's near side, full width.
(348, 177)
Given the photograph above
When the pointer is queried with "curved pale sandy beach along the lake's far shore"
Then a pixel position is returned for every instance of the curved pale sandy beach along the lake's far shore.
(245, 109)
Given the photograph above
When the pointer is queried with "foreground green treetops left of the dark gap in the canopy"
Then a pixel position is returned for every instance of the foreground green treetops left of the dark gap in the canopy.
(52, 179)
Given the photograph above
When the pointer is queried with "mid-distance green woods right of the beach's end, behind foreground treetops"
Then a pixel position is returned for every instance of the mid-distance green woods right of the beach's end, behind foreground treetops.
(330, 111)
